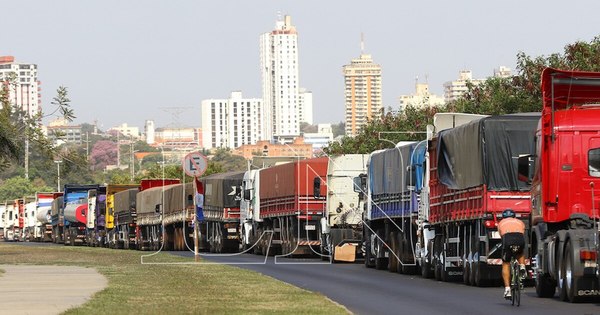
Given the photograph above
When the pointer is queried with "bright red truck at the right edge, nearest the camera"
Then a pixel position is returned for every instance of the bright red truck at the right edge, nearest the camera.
(564, 173)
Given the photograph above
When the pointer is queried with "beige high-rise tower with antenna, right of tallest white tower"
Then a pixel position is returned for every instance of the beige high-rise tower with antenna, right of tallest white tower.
(362, 80)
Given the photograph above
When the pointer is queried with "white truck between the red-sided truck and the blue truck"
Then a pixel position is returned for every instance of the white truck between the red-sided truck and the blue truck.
(342, 225)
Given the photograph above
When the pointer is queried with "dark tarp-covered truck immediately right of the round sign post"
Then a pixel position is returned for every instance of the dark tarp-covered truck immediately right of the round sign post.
(222, 196)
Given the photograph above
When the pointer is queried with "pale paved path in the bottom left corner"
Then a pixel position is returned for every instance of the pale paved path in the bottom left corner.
(36, 289)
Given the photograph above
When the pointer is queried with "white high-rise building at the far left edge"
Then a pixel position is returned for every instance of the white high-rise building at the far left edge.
(24, 90)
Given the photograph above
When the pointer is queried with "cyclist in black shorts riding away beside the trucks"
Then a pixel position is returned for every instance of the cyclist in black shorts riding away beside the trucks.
(512, 231)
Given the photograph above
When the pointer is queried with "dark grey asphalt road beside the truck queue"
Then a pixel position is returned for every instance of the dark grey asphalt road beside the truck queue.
(369, 291)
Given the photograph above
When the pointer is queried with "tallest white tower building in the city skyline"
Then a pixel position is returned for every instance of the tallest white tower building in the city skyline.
(280, 81)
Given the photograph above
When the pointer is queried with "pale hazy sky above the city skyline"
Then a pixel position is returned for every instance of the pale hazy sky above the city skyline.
(129, 61)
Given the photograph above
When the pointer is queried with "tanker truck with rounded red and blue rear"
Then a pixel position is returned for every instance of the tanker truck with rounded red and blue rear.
(79, 205)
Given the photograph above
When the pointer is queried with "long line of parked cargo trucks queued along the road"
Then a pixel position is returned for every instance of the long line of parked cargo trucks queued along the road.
(429, 207)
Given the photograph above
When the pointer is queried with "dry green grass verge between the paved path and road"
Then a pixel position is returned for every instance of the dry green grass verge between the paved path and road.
(134, 288)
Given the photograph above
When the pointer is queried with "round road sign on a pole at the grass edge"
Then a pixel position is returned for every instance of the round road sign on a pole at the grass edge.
(194, 165)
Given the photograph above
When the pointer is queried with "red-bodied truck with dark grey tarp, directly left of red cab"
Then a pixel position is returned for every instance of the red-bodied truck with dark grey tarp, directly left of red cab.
(473, 177)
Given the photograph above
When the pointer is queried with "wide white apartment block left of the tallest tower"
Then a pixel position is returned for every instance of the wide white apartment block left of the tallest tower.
(232, 122)
